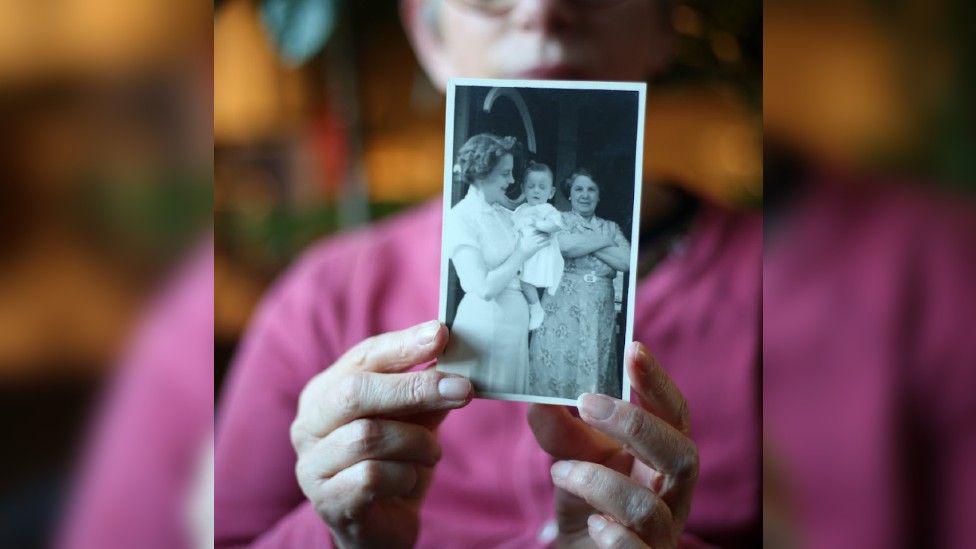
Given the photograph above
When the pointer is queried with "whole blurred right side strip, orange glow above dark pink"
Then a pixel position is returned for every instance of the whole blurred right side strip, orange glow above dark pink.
(869, 408)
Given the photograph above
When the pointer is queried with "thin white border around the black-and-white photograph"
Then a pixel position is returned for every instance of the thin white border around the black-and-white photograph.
(641, 89)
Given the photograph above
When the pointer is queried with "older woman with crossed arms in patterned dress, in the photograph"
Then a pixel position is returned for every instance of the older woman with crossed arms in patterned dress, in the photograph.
(574, 350)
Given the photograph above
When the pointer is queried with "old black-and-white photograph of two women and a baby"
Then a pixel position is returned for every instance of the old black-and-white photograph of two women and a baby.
(541, 210)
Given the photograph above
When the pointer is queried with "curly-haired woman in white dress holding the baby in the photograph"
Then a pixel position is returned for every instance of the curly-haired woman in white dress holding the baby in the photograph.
(489, 337)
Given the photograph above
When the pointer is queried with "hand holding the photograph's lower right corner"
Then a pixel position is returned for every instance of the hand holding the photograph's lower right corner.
(626, 473)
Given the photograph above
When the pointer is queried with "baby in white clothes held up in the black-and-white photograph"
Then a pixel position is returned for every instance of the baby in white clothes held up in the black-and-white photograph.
(545, 268)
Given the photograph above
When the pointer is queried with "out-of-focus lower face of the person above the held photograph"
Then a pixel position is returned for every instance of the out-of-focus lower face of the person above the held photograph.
(555, 39)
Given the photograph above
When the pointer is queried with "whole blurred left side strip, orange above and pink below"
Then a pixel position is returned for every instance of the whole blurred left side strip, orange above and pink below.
(106, 281)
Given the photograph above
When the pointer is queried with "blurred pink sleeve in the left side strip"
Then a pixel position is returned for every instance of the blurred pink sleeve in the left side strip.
(143, 481)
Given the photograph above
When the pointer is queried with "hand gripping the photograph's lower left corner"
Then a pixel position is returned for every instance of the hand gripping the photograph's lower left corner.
(365, 435)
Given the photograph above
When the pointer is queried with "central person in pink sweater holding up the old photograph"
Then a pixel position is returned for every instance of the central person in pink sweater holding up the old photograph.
(391, 457)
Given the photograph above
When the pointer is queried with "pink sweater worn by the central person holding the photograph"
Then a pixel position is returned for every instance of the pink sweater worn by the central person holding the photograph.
(699, 312)
